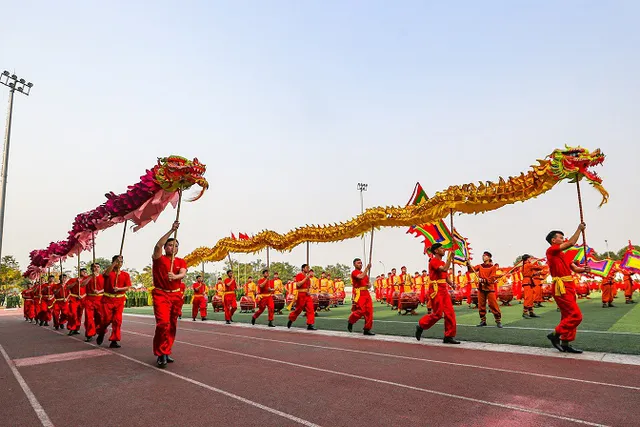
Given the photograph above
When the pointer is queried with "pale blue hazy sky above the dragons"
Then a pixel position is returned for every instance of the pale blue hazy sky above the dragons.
(291, 104)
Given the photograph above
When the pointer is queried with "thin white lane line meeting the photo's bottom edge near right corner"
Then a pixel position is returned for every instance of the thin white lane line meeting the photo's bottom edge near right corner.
(391, 383)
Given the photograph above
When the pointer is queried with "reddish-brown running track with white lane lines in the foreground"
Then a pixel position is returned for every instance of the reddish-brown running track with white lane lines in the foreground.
(232, 375)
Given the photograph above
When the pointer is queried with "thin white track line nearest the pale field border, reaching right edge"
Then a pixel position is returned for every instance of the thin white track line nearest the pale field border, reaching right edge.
(417, 359)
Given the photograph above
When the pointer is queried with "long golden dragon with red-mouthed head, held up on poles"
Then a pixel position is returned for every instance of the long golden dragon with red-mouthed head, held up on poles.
(571, 163)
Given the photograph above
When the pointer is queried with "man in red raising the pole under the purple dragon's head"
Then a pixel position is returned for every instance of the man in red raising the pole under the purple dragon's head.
(167, 299)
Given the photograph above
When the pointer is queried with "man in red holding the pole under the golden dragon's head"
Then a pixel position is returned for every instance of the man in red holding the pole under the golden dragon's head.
(564, 293)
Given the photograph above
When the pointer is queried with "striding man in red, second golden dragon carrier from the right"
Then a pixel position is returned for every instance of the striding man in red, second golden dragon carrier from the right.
(440, 298)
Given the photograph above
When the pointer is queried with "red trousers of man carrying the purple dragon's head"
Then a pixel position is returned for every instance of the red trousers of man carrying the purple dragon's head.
(166, 307)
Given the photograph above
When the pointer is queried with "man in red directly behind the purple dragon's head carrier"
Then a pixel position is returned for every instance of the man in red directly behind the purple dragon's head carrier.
(116, 284)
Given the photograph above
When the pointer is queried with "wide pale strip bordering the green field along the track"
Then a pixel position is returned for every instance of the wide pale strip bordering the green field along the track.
(622, 359)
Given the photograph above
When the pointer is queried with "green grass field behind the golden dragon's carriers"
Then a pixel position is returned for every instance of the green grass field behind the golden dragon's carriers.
(615, 330)
